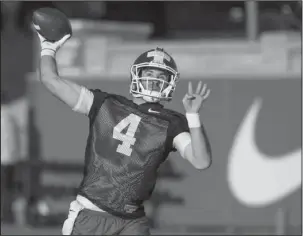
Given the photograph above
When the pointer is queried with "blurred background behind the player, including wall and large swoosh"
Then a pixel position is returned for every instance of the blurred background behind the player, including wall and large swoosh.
(249, 54)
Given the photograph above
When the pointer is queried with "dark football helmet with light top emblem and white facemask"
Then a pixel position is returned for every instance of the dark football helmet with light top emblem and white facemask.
(142, 86)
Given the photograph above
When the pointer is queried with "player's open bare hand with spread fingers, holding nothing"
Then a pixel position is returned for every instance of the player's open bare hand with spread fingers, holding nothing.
(192, 102)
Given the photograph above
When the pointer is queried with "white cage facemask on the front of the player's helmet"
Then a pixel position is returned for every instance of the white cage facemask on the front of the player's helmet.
(152, 89)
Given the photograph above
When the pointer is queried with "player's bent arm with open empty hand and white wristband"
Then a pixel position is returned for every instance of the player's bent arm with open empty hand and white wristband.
(194, 145)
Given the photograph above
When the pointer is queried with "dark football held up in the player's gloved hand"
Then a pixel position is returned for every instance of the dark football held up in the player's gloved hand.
(51, 23)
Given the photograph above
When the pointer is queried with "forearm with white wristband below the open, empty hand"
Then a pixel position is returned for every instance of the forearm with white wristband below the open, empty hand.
(201, 150)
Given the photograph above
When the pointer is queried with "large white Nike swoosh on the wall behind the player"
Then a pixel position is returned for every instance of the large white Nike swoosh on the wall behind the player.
(254, 178)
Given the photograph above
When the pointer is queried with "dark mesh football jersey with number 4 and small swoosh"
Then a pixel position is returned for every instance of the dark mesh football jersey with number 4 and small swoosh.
(125, 147)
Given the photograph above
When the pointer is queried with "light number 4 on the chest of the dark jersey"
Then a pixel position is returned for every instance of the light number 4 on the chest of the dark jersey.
(132, 122)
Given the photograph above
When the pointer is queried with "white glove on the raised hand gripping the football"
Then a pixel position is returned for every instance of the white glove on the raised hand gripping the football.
(50, 48)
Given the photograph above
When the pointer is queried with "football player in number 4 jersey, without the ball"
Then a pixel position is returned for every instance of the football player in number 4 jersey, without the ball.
(128, 140)
